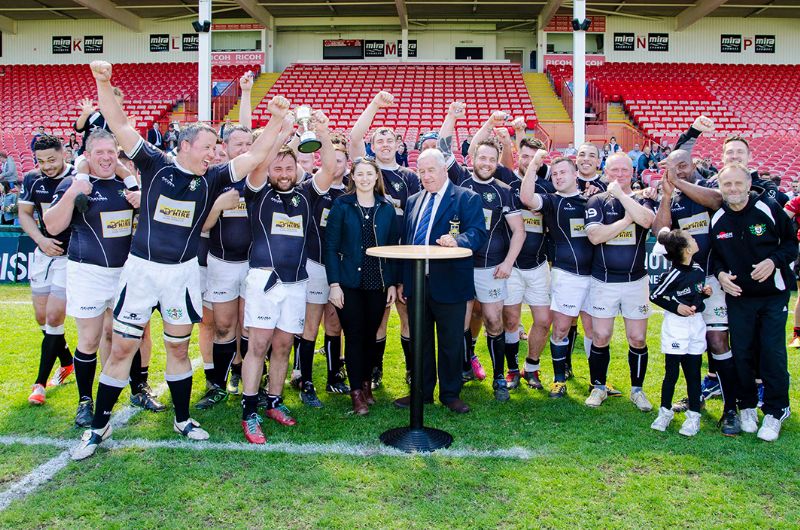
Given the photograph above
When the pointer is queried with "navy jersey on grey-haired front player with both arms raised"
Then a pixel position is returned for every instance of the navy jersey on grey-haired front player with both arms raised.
(175, 204)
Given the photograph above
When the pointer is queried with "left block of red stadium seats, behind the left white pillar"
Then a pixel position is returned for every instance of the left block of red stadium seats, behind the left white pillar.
(48, 95)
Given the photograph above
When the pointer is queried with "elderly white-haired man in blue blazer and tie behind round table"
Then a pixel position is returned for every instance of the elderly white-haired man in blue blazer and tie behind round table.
(450, 216)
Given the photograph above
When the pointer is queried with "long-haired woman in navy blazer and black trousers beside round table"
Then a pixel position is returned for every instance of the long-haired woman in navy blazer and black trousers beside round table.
(361, 286)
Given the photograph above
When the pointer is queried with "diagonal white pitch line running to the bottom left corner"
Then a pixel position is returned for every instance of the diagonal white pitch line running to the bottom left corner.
(30, 482)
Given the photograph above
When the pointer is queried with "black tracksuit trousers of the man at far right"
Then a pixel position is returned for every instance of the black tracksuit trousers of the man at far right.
(757, 327)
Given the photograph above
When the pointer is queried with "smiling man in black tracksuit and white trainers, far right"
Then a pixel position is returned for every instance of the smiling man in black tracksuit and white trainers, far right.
(754, 245)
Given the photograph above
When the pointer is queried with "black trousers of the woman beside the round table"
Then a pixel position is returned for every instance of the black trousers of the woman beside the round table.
(360, 318)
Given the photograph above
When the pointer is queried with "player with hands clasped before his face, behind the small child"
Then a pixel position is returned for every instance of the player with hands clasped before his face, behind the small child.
(678, 210)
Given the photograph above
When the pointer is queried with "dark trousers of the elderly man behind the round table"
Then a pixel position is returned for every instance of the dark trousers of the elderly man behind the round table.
(447, 321)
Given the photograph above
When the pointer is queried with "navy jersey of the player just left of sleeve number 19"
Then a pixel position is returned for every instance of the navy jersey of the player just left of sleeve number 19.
(564, 219)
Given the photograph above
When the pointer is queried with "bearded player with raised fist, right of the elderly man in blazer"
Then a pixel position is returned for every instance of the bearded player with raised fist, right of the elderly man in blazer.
(495, 260)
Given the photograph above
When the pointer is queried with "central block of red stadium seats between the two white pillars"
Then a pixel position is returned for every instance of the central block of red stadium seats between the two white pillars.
(422, 91)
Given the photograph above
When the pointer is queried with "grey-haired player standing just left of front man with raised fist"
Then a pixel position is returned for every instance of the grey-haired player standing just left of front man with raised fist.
(99, 244)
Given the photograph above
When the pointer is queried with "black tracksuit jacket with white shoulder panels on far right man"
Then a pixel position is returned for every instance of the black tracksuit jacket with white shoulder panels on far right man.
(742, 239)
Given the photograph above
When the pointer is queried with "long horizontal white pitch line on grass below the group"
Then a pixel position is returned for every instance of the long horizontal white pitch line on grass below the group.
(335, 449)
